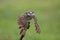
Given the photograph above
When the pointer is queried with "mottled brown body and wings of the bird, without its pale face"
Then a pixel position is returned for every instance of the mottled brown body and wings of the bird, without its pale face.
(24, 23)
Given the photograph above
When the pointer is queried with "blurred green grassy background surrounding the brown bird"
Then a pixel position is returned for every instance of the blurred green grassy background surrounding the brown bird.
(46, 11)
